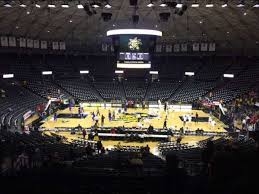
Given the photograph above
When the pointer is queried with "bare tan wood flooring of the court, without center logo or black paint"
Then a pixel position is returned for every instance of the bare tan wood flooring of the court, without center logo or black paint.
(173, 119)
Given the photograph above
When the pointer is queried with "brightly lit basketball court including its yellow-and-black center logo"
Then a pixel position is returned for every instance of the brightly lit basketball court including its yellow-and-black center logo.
(152, 116)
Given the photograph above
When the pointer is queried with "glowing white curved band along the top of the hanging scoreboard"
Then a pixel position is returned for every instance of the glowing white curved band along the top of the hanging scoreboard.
(134, 31)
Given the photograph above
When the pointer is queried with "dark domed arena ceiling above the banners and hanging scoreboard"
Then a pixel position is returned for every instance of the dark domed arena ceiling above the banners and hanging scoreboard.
(232, 24)
